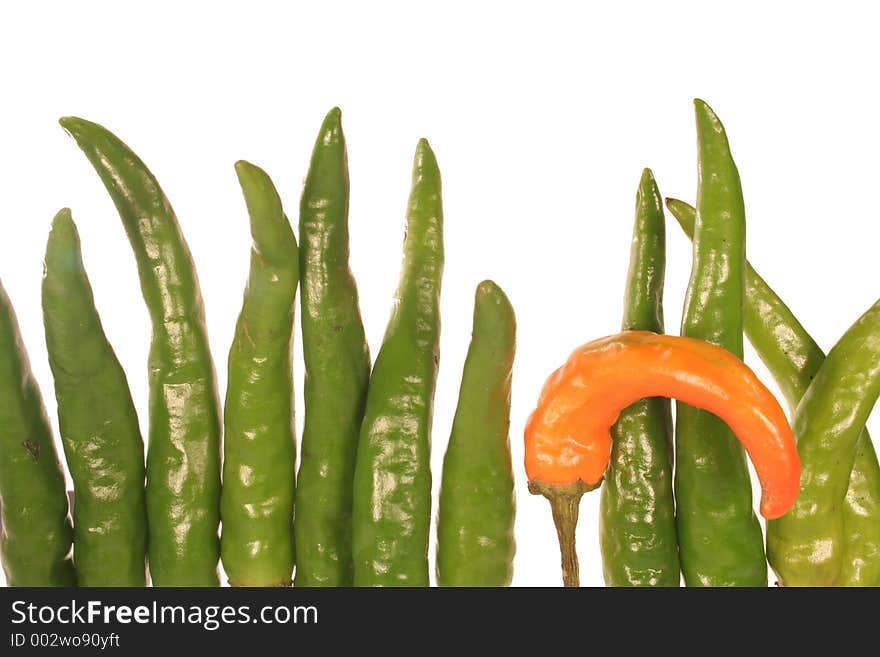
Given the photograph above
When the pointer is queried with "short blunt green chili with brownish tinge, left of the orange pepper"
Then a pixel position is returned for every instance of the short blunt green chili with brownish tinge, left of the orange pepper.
(475, 542)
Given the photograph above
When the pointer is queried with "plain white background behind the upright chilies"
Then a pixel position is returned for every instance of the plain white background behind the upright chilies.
(542, 117)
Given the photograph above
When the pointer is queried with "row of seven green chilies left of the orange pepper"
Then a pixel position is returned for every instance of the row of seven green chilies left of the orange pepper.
(358, 510)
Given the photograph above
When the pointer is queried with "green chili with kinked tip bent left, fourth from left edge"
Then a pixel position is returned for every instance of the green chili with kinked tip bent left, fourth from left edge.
(259, 465)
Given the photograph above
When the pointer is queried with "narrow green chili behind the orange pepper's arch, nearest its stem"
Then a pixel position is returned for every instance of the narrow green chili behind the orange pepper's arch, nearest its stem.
(637, 532)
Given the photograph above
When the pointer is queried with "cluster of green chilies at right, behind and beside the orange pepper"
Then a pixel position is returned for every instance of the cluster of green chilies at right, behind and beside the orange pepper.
(702, 523)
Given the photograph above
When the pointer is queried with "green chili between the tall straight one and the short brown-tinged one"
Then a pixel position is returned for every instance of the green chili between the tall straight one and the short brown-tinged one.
(392, 481)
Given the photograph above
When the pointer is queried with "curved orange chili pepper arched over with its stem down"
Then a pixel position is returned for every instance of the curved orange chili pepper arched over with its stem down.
(568, 440)
